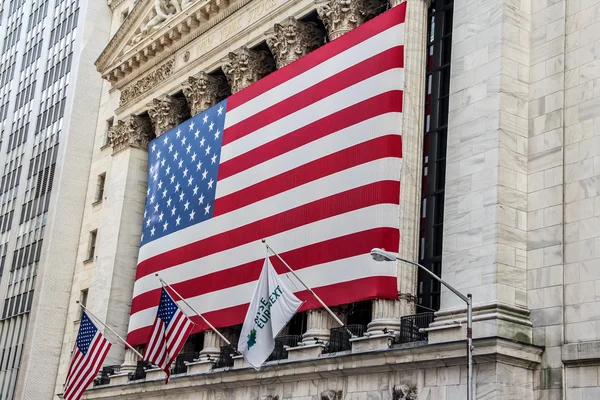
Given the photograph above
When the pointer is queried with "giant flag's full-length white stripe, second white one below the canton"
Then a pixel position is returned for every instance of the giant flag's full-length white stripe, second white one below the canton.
(364, 219)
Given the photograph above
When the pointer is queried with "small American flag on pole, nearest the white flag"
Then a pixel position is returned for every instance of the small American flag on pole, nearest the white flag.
(168, 335)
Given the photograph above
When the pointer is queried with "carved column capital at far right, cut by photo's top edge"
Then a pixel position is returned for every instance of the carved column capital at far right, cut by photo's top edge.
(341, 16)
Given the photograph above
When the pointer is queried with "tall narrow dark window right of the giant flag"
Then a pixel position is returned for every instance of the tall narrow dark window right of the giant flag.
(434, 152)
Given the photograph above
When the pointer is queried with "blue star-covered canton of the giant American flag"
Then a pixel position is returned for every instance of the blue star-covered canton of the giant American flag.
(182, 178)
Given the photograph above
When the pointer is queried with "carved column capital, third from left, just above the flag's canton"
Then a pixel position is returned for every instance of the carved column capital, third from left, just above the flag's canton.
(203, 91)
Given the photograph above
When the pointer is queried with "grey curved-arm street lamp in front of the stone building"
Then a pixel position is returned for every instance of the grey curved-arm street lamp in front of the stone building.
(382, 255)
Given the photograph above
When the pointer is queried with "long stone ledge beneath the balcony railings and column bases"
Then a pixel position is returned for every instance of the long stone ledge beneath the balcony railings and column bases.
(399, 357)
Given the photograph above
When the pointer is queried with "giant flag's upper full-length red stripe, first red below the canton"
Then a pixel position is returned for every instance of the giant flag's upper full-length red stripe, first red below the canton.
(364, 196)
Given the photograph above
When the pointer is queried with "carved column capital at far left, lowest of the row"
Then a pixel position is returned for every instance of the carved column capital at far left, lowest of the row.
(134, 131)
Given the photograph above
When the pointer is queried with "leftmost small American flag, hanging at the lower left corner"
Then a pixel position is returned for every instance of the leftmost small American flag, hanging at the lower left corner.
(91, 348)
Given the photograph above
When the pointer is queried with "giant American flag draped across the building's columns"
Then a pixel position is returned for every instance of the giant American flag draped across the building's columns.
(309, 158)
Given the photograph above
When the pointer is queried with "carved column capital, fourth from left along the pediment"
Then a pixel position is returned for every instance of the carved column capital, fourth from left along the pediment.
(244, 67)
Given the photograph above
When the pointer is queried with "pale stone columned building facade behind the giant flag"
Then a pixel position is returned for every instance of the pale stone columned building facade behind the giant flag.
(500, 194)
